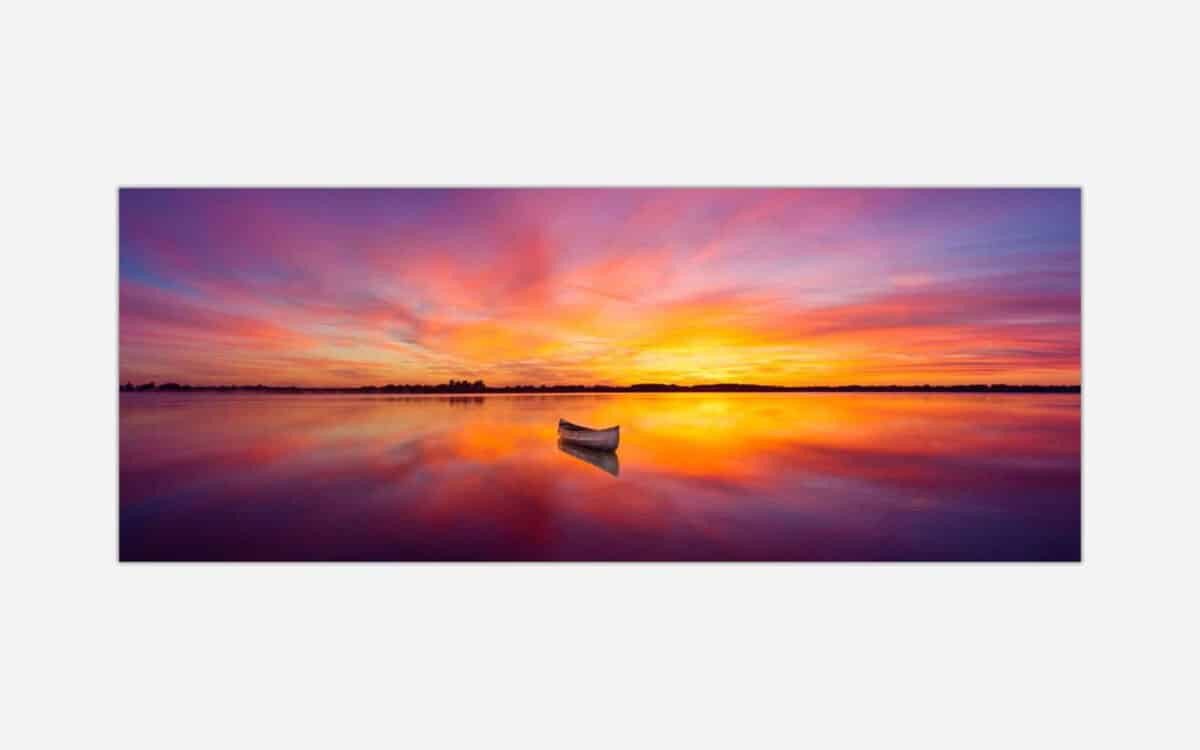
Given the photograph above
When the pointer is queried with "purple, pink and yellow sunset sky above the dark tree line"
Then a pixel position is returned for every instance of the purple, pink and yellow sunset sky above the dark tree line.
(794, 287)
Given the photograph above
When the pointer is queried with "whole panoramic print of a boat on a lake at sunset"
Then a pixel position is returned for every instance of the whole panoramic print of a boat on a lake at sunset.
(610, 375)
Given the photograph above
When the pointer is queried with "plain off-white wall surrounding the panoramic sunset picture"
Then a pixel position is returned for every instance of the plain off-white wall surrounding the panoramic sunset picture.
(100, 95)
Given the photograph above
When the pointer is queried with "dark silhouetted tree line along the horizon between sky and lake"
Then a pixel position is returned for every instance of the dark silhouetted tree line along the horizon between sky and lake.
(479, 387)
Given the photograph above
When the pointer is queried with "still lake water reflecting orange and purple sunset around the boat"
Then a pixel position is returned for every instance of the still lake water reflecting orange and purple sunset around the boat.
(699, 477)
